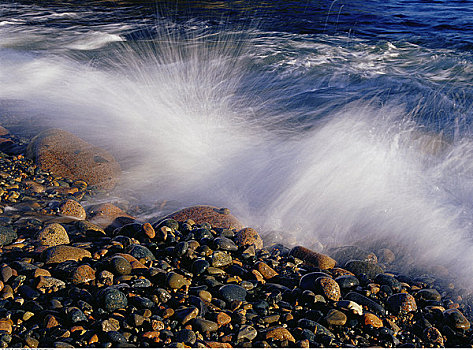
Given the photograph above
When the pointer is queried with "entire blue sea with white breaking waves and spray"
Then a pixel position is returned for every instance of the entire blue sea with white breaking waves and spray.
(319, 123)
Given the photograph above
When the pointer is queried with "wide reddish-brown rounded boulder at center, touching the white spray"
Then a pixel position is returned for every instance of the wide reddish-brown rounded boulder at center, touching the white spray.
(217, 217)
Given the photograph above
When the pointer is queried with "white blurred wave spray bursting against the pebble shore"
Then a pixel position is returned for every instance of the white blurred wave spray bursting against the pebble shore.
(194, 117)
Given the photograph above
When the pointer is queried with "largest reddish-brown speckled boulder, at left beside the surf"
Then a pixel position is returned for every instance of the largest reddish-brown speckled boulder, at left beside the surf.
(67, 155)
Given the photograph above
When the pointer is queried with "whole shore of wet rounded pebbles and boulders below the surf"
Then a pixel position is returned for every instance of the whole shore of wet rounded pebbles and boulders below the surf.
(73, 275)
